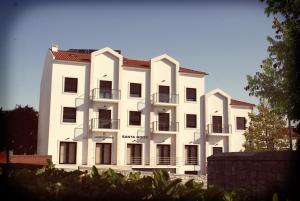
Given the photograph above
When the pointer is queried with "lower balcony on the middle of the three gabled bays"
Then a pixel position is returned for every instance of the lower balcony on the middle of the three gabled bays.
(165, 128)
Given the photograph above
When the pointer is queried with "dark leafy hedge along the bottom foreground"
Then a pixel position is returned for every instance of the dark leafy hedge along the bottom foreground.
(53, 184)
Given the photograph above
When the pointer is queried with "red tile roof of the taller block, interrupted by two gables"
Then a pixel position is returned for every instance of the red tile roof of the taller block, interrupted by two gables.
(86, 57)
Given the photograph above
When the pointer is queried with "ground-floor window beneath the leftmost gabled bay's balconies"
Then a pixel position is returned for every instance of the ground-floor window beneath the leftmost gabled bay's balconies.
(103, 153)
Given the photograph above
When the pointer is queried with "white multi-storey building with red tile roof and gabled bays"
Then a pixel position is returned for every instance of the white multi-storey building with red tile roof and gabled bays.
(99, 108)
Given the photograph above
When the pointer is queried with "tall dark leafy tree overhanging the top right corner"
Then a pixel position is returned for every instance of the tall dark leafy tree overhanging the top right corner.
(281, 85)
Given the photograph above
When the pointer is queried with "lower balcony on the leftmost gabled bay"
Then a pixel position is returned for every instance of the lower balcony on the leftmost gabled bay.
(105, 125)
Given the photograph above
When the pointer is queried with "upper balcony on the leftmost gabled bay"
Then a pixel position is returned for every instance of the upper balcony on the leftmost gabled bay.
(103, 95)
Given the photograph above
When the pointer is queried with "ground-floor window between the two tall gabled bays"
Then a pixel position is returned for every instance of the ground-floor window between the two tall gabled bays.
(134, 154)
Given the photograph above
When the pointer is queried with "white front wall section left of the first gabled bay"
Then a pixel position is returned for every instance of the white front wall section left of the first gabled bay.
(59, 130)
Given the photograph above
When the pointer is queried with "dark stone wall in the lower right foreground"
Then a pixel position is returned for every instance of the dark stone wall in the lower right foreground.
(260, 174)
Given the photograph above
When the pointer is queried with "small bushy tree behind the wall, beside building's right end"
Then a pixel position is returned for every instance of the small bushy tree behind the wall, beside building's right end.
(265, 131)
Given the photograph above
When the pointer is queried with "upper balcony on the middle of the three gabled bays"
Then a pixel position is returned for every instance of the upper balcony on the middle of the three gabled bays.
(161, 99)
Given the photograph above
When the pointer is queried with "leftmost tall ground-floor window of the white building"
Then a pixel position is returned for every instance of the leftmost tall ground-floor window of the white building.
(67, 153)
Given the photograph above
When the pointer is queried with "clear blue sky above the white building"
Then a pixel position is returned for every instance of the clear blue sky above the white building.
(226, 39)
